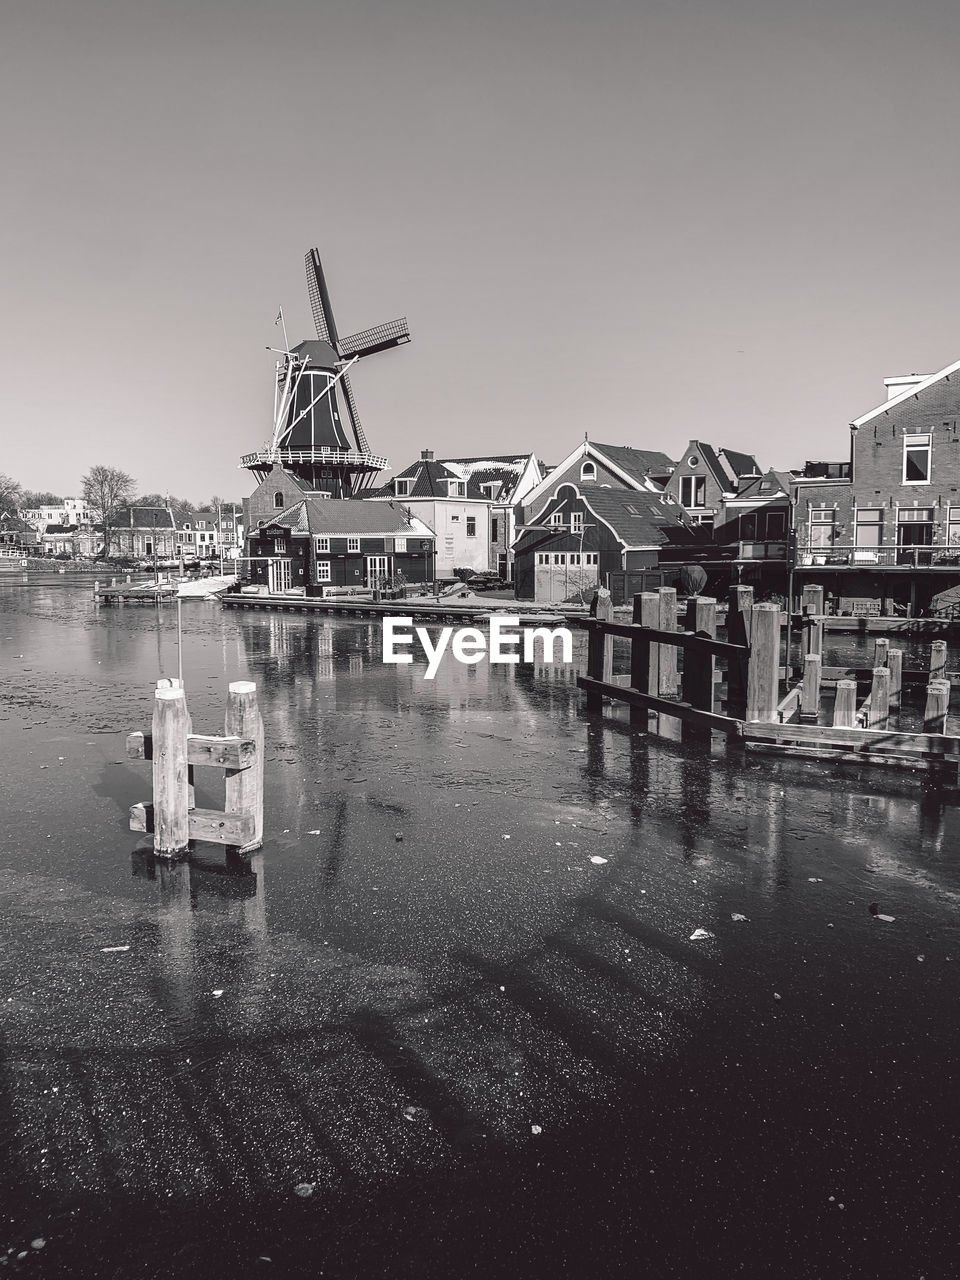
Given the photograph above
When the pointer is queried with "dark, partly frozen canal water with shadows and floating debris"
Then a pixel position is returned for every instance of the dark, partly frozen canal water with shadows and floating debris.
(505, 994)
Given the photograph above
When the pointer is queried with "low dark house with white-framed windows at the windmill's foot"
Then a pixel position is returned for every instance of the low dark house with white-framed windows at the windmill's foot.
(318, 542)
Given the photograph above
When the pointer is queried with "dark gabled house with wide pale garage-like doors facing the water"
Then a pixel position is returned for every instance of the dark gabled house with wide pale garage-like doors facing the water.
(589, 536)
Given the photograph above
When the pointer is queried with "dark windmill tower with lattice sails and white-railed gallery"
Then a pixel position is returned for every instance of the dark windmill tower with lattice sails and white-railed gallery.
(313, 437)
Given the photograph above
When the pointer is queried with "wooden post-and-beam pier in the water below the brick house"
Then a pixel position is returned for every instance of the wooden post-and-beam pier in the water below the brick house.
(757, 701)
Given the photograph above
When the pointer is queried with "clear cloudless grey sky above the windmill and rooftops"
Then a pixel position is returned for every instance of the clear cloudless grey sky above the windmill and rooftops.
(725, 220)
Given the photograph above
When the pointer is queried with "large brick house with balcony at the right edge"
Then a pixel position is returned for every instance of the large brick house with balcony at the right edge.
(883, 531)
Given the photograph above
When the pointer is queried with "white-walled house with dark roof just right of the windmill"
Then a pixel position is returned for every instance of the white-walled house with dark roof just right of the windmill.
(470, 504)
